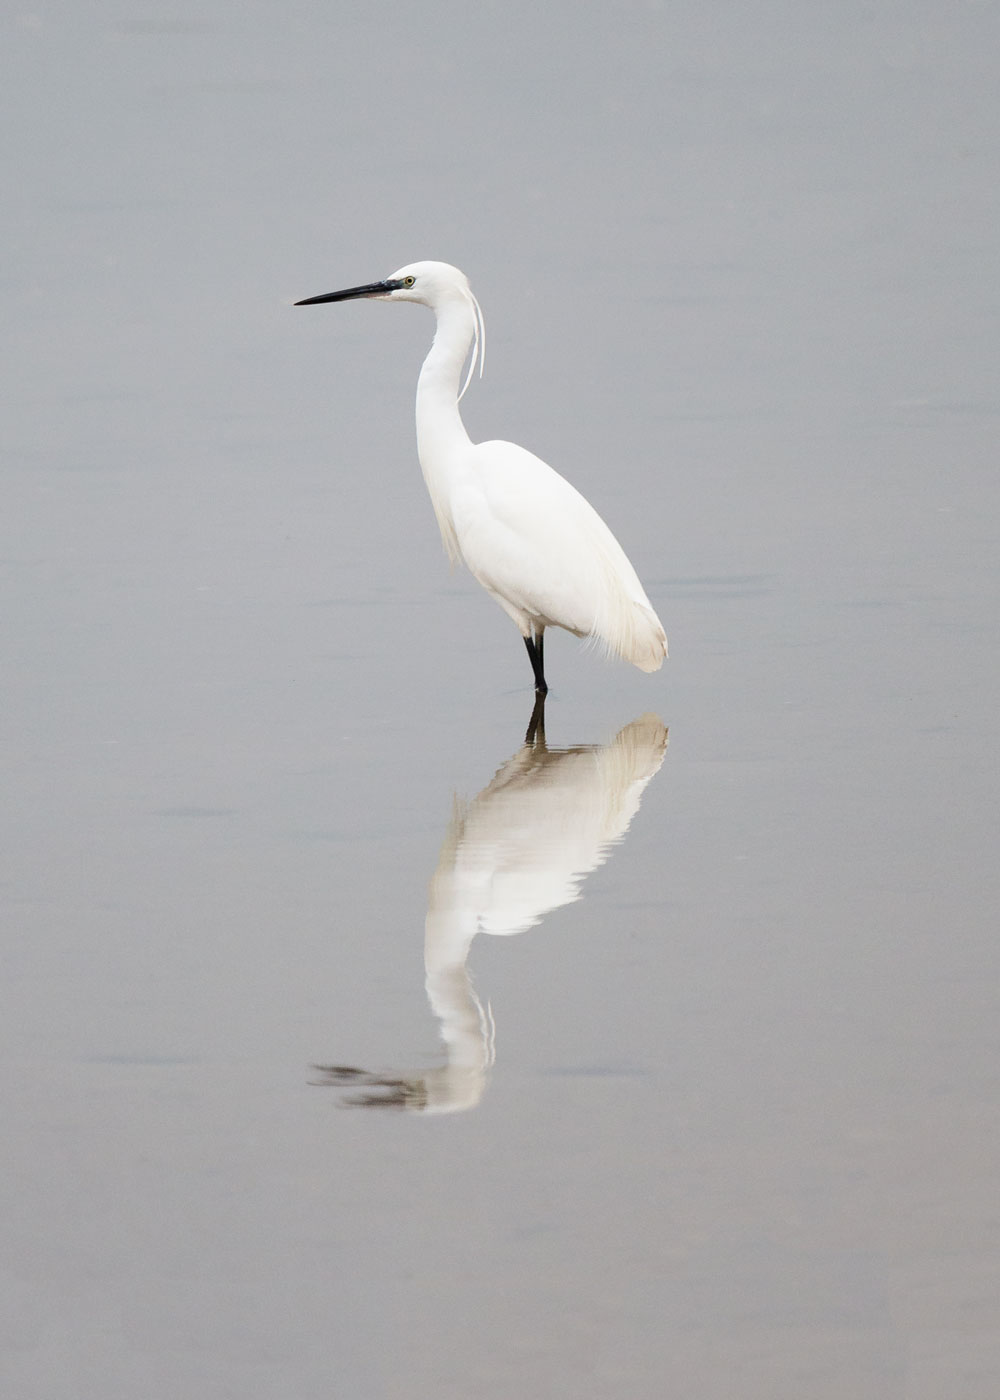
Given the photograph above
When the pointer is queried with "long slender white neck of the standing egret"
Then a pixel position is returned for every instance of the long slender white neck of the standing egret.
(442, 435)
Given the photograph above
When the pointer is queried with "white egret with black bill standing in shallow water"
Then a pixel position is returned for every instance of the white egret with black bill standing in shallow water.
(523, 531)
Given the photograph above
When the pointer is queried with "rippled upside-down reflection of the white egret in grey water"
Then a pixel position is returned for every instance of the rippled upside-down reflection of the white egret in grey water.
(515, 853)
